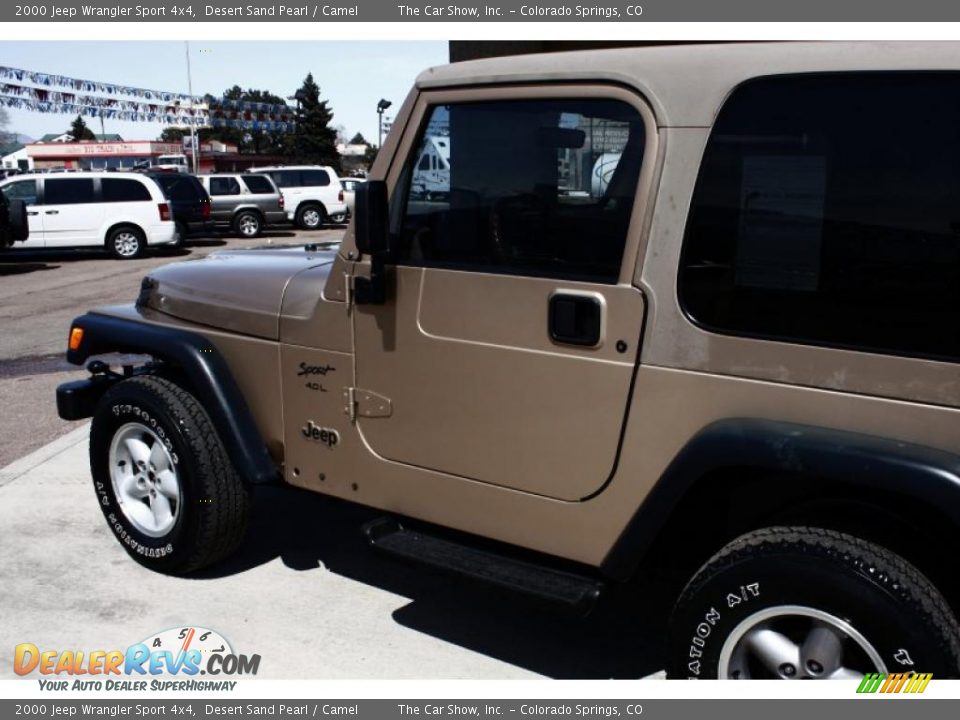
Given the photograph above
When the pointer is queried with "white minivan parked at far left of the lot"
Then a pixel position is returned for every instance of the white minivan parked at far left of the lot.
(122, 212)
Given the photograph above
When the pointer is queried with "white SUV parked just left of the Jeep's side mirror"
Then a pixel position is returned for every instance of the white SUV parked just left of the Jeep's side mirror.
(312, 194)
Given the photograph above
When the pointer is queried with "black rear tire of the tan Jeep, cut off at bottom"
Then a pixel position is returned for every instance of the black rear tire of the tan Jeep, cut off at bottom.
(798, 575)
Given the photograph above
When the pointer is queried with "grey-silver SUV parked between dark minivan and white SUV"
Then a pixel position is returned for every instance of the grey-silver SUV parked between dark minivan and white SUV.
(246, 202)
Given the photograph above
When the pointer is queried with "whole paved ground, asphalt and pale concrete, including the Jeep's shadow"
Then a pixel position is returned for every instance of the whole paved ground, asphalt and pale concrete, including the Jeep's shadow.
(304, 591)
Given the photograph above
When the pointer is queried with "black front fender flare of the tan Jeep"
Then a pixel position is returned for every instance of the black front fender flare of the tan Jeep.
(209, 375)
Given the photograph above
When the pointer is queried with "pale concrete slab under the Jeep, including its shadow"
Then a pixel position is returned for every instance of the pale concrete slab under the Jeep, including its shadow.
(304, 592)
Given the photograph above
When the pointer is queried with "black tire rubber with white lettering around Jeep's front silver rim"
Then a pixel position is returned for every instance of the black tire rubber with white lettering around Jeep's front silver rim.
(213, 512)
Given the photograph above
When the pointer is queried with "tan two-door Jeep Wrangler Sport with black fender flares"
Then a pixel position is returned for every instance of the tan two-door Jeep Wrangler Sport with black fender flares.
(691, 303)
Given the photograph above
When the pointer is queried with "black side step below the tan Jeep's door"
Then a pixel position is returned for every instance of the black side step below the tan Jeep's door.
(578, 593)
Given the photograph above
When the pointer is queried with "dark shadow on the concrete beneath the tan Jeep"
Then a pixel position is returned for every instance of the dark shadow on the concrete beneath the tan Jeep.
(621, 639)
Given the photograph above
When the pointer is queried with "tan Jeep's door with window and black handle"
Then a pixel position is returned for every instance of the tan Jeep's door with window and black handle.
(507, 346)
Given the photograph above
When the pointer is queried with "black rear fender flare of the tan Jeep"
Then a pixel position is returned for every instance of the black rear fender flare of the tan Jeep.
(864, 461)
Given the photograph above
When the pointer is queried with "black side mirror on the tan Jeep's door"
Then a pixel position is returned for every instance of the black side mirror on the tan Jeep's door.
(371, 231)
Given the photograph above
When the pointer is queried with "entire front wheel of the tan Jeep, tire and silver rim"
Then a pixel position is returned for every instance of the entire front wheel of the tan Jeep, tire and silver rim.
(163, 480)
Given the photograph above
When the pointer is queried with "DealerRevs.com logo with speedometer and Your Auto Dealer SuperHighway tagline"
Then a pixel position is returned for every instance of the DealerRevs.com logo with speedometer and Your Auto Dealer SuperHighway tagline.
(169, 660)
